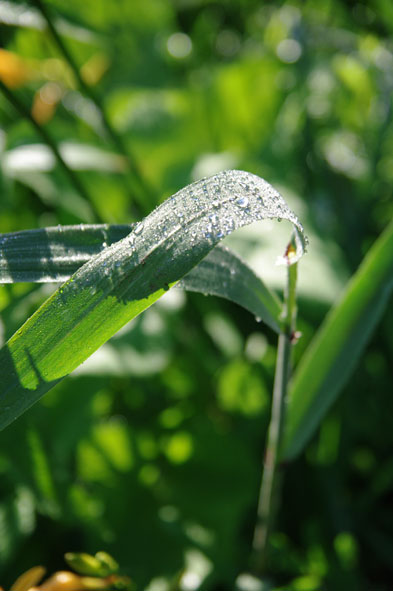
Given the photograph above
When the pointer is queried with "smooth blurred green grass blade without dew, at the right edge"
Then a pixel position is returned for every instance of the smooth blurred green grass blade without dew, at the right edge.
(334, 352)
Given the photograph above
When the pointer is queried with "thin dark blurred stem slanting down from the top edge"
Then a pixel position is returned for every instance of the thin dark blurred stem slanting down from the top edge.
(114, 136)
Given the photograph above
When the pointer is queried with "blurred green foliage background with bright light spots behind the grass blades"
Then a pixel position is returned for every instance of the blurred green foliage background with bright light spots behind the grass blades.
(155, 454)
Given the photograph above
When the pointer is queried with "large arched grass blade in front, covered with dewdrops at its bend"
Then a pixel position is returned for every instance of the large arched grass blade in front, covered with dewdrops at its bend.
(126, 278)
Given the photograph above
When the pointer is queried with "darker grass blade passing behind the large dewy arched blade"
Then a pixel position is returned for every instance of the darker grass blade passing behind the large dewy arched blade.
(54, 254)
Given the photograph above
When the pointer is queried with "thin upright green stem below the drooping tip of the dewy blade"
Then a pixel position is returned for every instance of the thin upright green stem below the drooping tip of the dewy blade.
(269, 485)
